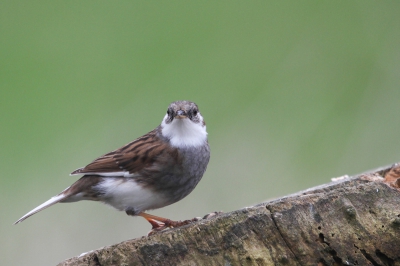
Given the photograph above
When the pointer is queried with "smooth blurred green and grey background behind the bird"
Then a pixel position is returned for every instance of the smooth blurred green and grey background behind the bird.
(293, 93)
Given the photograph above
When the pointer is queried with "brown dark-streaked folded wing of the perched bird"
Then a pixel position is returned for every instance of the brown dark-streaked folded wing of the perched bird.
(132, 157)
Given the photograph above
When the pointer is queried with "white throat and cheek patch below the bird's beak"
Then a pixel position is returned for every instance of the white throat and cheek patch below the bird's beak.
(184, 132)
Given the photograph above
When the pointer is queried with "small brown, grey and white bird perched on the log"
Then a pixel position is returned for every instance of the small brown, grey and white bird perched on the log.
(153, 171)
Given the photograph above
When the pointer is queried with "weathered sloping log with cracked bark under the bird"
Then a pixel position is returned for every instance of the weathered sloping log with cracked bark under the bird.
(350, 221)
